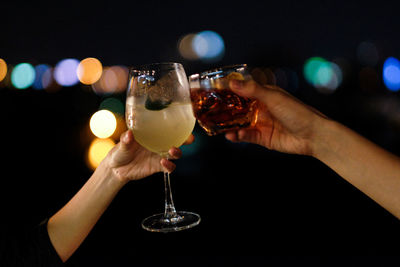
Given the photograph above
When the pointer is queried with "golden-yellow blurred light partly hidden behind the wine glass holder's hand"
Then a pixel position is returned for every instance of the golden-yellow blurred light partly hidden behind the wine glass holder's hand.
(98, 151)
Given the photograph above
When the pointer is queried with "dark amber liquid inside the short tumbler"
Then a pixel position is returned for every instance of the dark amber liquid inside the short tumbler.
(221, 110)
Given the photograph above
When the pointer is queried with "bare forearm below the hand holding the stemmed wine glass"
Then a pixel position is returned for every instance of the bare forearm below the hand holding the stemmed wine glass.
(70, 225)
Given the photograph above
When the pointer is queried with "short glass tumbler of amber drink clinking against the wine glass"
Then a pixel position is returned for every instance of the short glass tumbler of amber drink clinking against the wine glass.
(215, 106)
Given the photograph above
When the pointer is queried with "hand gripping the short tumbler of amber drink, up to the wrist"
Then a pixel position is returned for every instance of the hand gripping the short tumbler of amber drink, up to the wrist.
(284, 123)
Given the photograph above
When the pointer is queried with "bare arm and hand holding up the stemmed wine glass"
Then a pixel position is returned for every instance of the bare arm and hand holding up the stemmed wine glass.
(127, 161)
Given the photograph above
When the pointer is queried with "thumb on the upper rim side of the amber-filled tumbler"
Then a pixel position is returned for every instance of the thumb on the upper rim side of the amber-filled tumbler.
(250, 89)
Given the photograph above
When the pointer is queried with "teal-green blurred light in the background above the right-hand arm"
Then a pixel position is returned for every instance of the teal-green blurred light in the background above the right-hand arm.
(323, 75)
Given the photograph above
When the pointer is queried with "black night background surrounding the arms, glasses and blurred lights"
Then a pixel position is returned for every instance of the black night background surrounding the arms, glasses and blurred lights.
(258, 207)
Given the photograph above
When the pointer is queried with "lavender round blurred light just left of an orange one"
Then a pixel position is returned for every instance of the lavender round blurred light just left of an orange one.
(65, 72)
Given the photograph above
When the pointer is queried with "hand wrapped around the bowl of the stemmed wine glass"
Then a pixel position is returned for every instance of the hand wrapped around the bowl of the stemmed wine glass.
(128, 160)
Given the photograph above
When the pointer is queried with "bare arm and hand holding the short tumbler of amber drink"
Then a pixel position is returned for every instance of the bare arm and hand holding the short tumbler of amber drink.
(287, 125)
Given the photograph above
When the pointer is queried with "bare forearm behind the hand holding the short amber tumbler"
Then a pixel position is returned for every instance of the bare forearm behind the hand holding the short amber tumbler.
(368, 167)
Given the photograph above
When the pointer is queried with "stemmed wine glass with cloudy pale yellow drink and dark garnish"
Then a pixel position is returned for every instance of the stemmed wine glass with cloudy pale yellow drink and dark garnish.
(160, 115)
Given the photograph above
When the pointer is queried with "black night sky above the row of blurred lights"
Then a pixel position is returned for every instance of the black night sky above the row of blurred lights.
(134, 32)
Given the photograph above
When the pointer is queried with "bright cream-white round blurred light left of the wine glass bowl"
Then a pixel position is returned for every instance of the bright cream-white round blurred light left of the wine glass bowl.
(103, 123)
